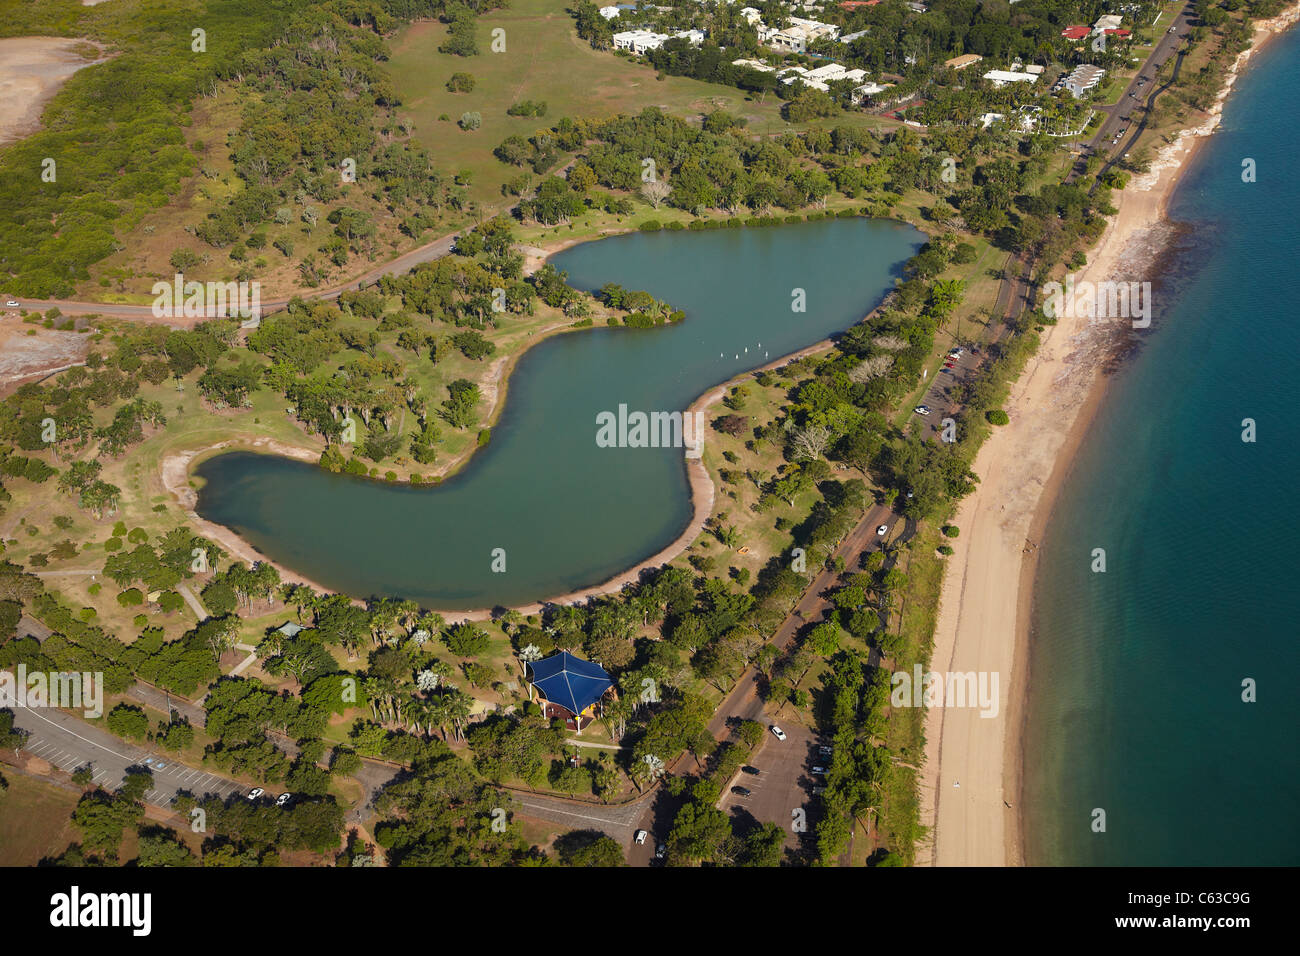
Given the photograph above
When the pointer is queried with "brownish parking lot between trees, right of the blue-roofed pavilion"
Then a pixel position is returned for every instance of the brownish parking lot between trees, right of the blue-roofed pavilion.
(783, 785)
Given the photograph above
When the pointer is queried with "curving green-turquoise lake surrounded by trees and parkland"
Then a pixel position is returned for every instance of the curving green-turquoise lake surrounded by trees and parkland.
(566, 513)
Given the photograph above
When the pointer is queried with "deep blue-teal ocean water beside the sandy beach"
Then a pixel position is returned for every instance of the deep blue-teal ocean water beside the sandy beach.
(1137, 676)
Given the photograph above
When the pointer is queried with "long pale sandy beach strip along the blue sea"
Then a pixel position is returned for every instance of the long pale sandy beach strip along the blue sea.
(970, 788)
